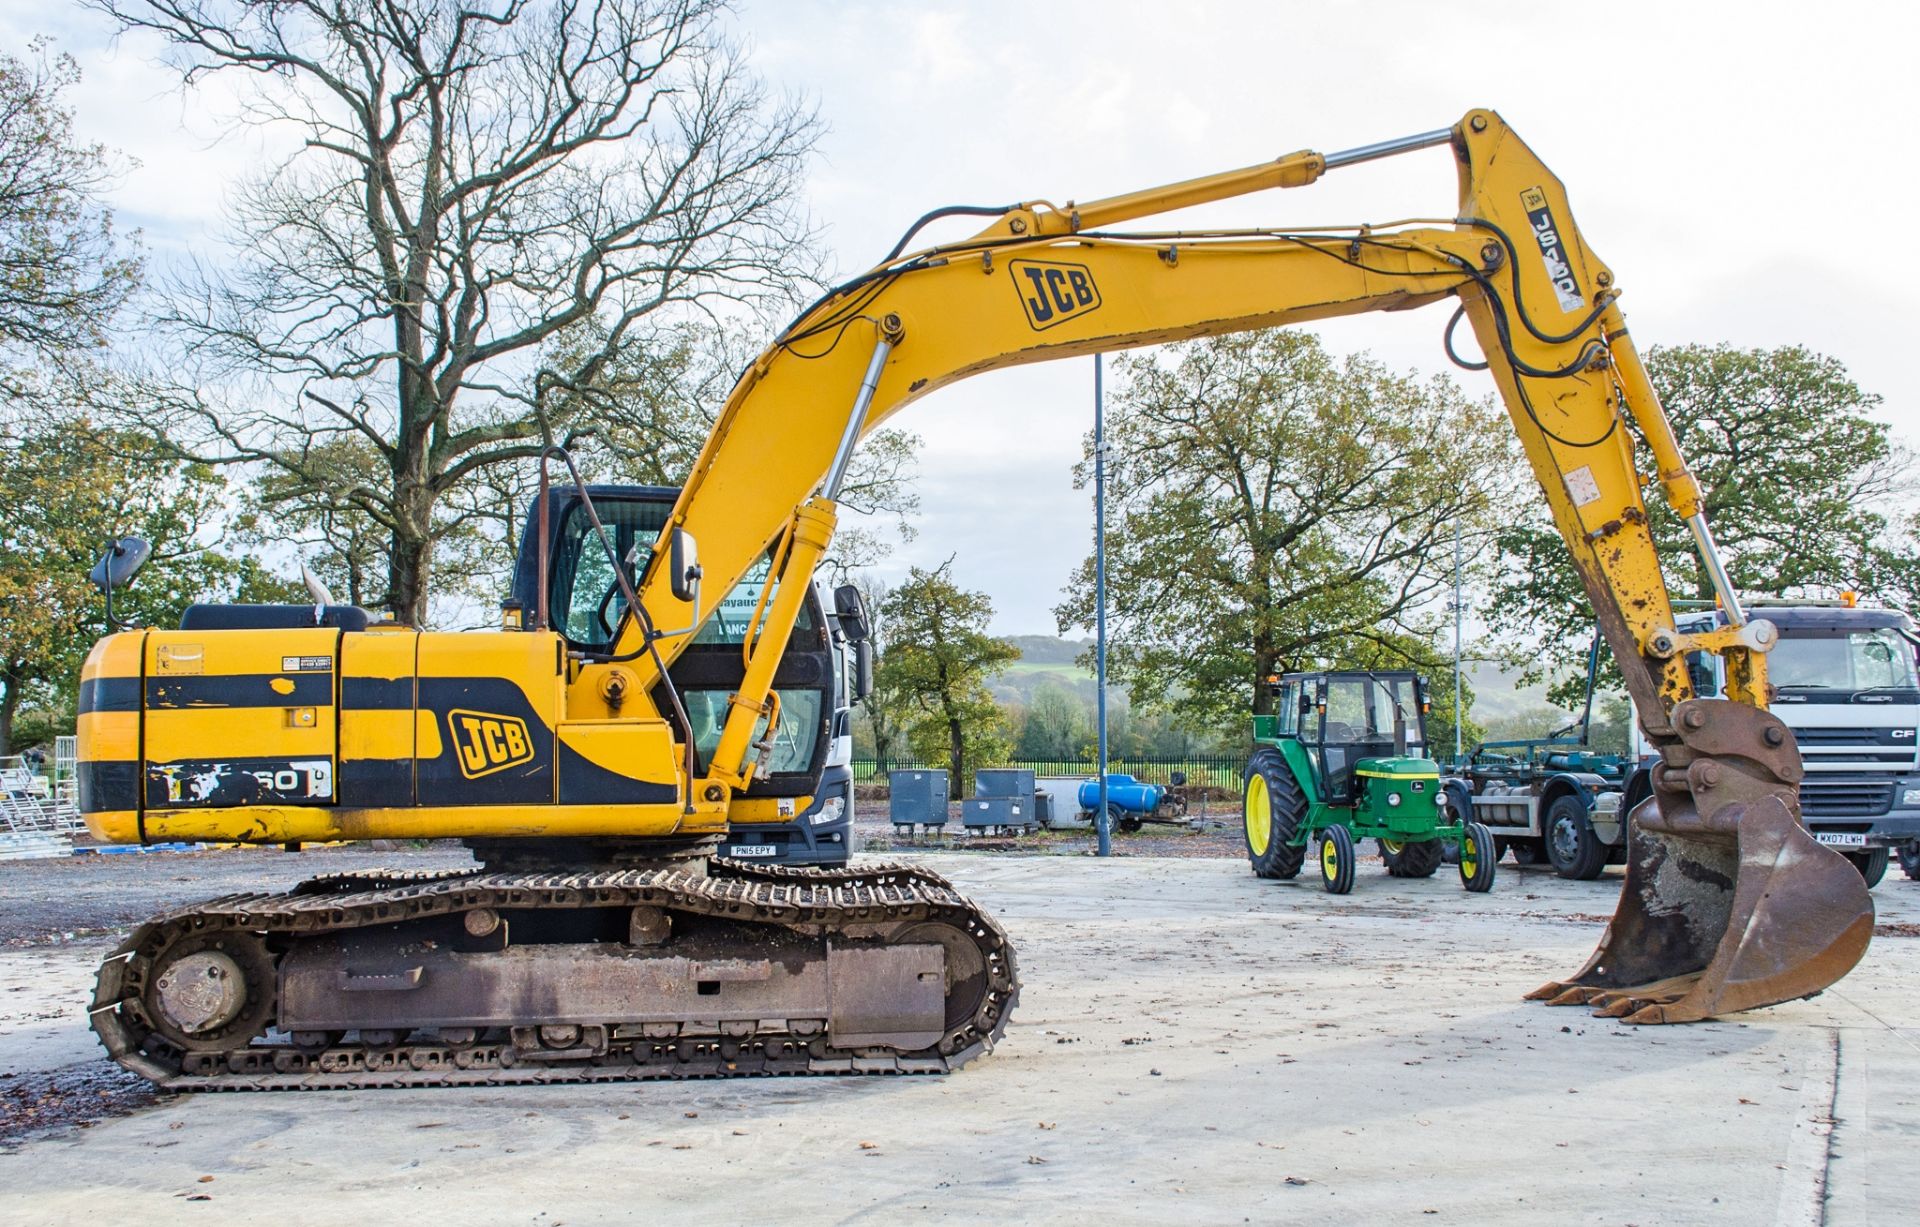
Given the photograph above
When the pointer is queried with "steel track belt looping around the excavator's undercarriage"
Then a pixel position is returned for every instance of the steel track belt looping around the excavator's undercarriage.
(788, 898)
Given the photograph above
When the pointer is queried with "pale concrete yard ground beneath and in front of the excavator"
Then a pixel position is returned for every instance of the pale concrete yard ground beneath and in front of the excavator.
(1191, 1046)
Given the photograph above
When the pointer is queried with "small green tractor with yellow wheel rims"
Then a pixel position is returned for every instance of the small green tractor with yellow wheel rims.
(1343, 759)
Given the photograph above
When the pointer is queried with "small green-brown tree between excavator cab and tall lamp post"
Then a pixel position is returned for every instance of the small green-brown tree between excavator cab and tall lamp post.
(940, 658)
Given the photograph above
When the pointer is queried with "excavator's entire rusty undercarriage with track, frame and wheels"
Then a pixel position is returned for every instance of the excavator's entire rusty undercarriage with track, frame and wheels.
(702, 969)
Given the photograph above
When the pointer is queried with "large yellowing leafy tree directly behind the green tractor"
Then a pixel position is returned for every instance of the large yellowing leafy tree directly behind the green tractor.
(1274, 510)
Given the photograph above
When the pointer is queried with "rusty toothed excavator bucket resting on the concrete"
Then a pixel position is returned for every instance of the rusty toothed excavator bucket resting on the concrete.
(1729, 903)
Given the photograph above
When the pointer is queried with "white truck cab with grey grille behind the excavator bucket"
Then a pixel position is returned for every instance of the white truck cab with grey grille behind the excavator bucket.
(1848, 688)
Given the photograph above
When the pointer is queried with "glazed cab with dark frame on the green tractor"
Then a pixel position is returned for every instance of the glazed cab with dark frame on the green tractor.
(1353, 727)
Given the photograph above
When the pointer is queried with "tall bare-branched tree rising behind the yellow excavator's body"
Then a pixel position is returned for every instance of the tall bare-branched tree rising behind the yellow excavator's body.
(492, 204)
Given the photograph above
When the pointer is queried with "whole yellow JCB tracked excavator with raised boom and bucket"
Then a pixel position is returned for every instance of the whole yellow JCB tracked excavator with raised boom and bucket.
(598, 938)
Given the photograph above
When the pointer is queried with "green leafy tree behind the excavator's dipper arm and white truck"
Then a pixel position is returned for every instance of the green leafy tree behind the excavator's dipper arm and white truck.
(1796, 475)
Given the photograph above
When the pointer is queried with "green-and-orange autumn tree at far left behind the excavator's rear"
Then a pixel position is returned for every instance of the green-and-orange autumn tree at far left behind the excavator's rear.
(70, 491)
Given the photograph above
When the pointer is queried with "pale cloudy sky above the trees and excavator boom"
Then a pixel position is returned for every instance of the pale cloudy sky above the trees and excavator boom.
(1739, 166)
